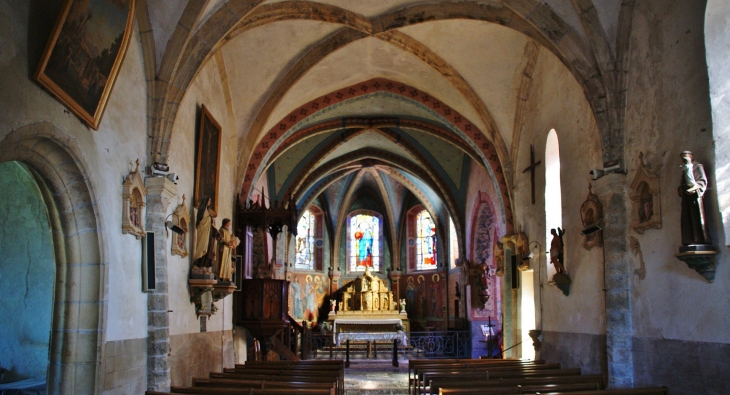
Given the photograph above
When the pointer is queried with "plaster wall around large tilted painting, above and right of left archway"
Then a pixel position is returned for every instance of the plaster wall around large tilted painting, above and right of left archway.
(121, 138)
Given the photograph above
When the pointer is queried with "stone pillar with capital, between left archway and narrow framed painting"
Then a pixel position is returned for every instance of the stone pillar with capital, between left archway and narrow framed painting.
(159, 192)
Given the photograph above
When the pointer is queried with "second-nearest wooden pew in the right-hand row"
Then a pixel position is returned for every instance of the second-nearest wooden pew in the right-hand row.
(459, 382)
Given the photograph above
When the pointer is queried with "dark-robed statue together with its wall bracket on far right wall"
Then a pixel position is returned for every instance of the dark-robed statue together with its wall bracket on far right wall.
(697, 249)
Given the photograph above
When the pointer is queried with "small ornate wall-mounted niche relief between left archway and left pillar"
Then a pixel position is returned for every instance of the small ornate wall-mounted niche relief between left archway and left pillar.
(133, 197)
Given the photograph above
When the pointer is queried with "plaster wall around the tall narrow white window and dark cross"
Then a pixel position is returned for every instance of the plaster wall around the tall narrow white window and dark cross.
(558, 102)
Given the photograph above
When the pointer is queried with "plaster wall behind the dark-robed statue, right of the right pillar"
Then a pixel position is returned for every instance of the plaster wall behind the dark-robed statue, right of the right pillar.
(669, 111)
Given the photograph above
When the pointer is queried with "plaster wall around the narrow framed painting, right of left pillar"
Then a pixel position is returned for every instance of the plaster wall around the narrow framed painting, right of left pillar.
(207, 90)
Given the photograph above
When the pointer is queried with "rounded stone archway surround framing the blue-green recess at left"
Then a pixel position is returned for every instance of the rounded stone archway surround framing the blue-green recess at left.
(77, 330)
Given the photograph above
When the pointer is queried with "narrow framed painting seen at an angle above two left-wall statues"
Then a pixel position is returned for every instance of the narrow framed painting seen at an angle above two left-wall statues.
(208, 160)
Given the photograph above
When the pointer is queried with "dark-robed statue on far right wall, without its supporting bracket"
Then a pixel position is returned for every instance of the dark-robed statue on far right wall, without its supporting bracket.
(692, 189)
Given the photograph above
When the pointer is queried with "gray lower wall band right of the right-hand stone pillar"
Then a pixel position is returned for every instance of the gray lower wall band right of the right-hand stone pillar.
(685, 367)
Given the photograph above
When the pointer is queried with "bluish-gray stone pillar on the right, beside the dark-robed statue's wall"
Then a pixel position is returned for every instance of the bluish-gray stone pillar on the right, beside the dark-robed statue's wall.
(611, 190)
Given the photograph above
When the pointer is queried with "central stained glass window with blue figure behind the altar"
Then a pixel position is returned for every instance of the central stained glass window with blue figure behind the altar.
(364, 242)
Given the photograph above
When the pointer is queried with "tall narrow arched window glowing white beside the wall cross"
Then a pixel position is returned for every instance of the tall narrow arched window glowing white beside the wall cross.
(553, 196)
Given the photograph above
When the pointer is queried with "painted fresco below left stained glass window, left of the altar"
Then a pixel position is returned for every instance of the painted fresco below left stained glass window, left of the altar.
(307, 295)
